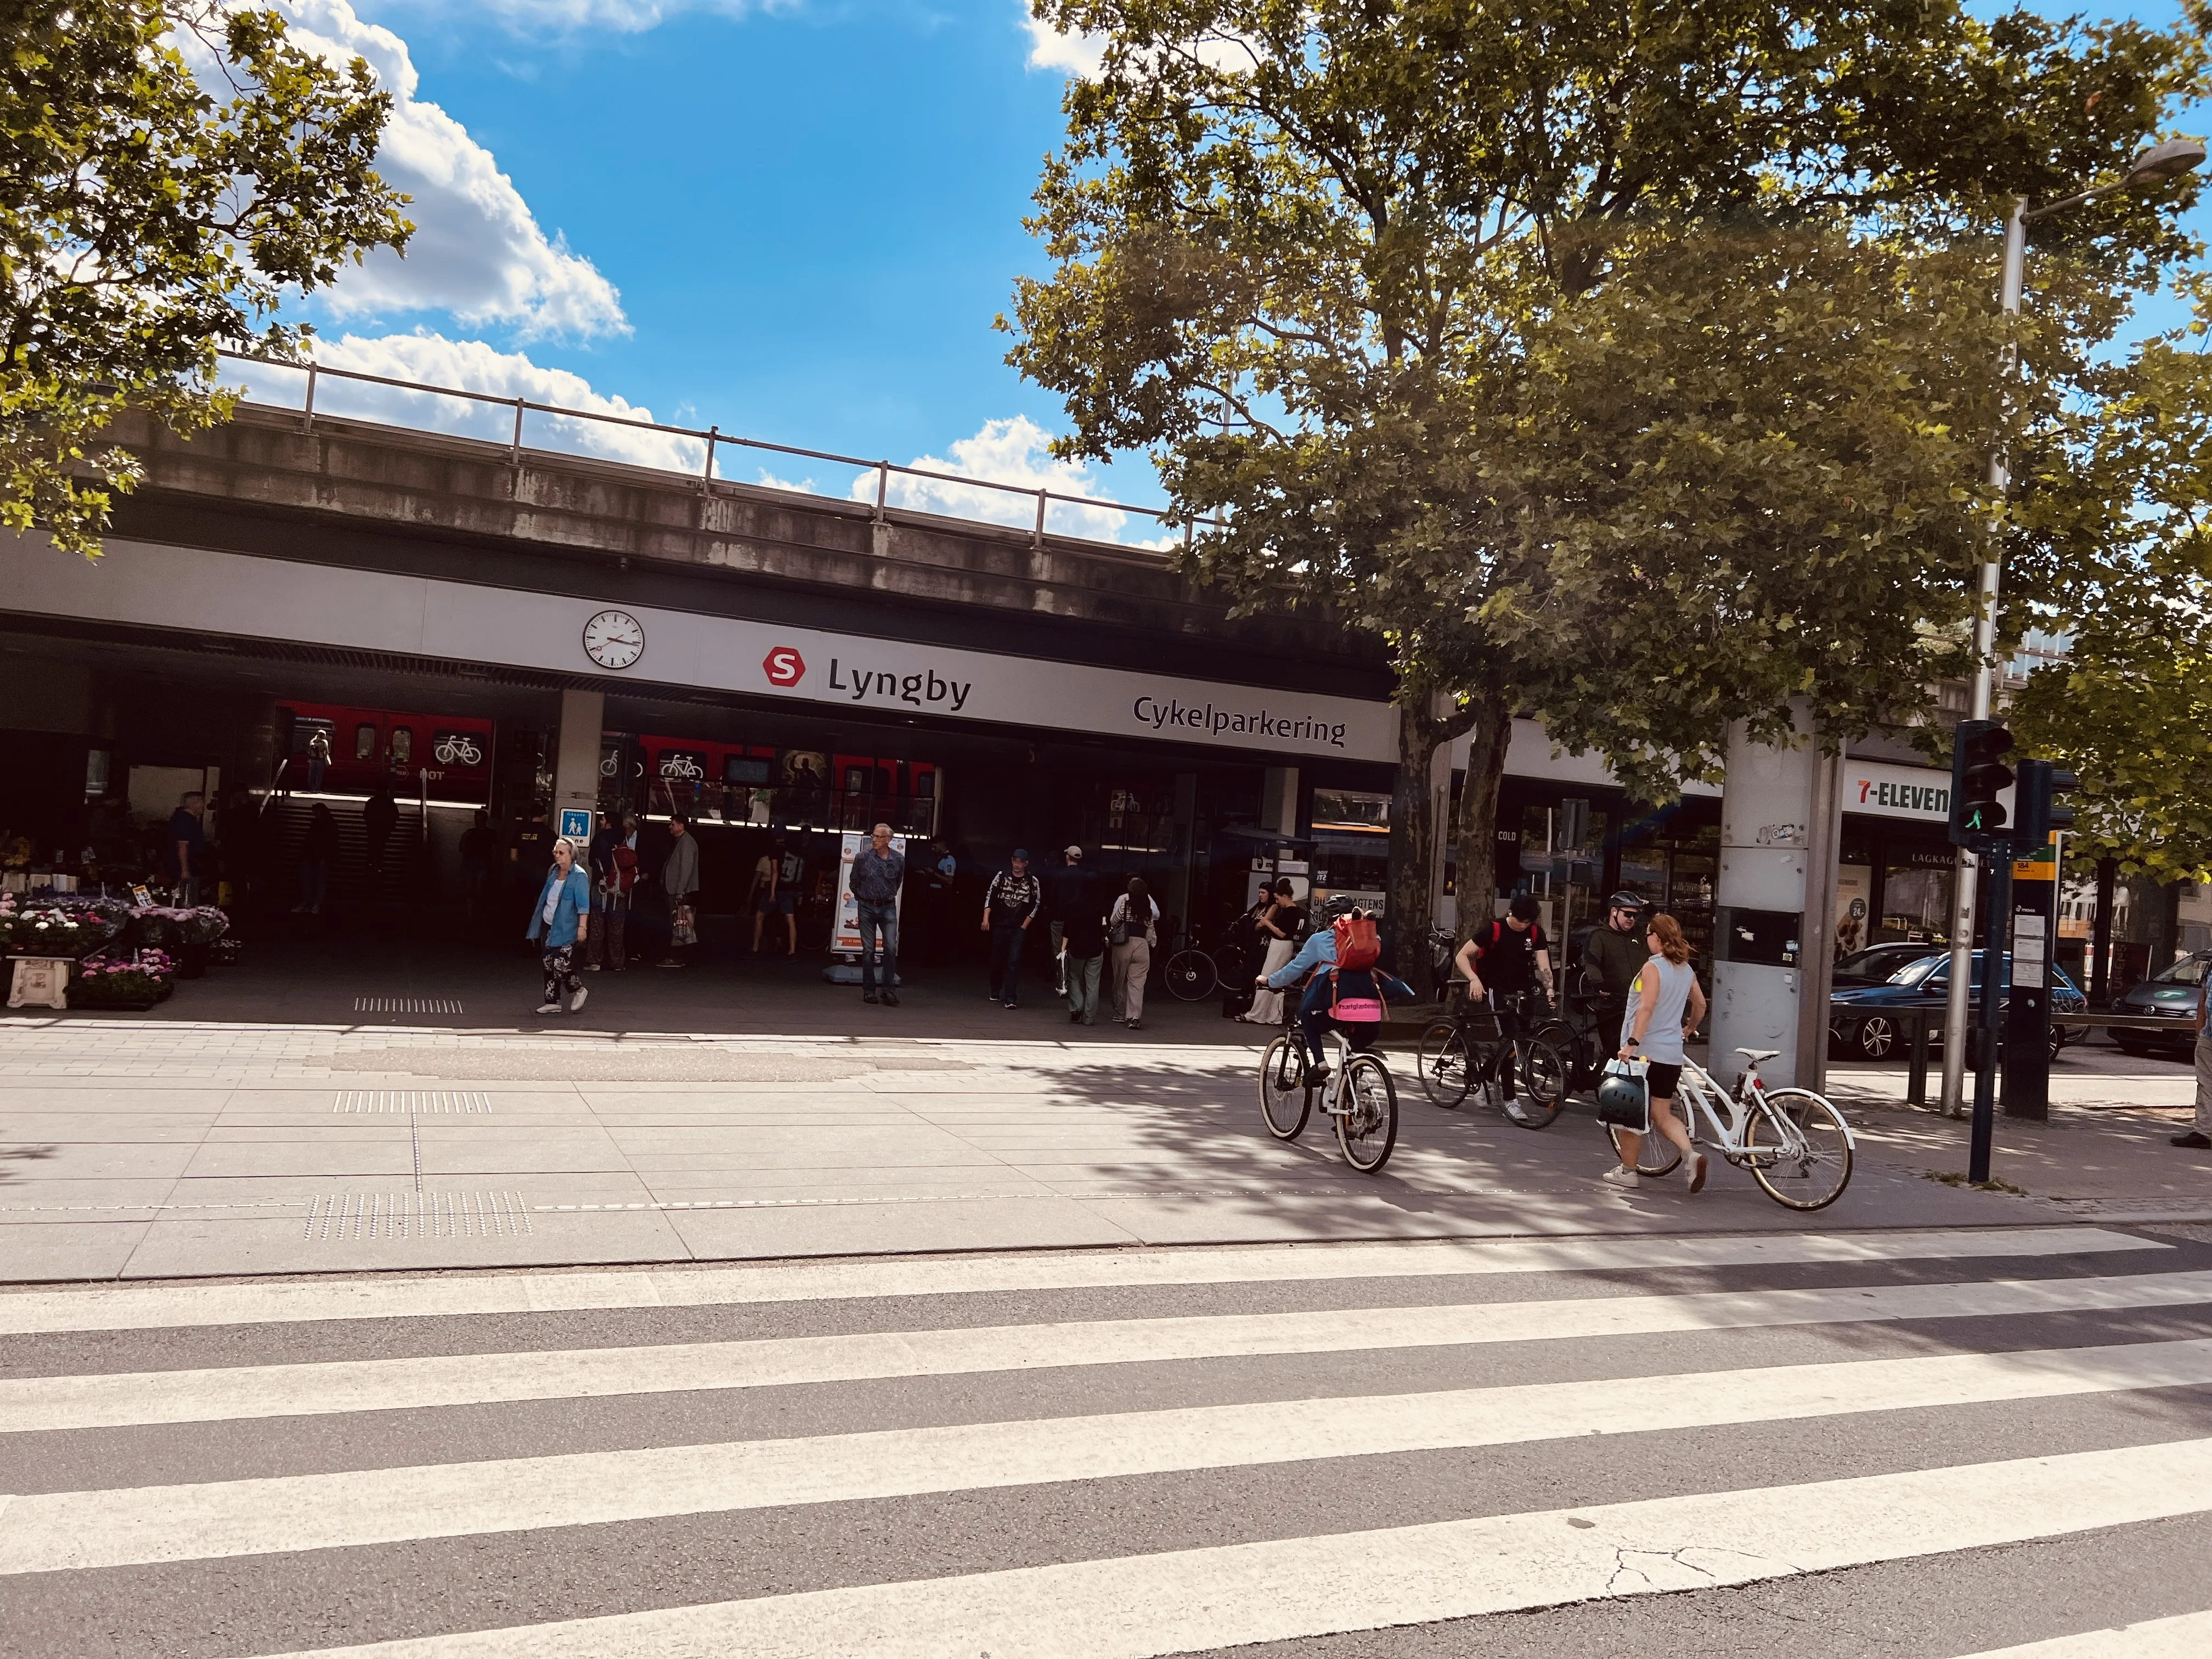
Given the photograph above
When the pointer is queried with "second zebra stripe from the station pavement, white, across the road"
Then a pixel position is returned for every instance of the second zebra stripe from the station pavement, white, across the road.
(238, 1392)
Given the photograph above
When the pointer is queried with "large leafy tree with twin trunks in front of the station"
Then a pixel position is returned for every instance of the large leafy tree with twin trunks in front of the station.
(1623, 368)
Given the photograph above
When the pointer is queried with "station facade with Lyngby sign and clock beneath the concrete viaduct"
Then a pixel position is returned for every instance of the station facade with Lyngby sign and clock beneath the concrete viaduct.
(298, 616)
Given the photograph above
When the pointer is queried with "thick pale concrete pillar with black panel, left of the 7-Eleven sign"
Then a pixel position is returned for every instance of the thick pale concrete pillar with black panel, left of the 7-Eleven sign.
(1775, 928)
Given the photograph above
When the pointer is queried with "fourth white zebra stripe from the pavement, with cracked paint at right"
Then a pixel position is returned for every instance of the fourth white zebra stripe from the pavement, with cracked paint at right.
(1196, 1600)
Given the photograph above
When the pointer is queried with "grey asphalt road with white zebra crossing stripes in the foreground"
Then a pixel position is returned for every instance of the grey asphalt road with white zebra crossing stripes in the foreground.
(1888, 1446)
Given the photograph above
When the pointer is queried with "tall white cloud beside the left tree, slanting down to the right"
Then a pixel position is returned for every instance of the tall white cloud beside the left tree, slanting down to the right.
(479, 253)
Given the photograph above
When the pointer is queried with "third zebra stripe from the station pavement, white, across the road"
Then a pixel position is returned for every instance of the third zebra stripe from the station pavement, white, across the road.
(271, 1516)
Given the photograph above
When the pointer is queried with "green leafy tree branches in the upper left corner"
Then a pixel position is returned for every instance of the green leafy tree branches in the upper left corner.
(147, 220)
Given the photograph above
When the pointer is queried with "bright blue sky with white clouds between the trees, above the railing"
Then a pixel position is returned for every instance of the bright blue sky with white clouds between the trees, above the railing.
(793, 222)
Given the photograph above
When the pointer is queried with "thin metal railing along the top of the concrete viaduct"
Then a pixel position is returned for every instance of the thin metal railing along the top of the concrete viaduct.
(705, 455)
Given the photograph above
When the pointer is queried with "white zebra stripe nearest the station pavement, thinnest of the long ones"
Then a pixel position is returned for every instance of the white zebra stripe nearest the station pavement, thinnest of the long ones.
(114, 1308)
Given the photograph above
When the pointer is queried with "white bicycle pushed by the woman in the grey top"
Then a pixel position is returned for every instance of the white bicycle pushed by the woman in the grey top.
(1793, 1140)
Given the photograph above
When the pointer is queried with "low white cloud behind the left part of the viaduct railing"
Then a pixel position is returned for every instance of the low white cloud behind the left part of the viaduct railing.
(472, 366)
